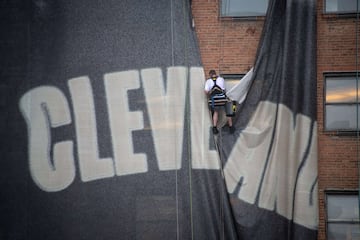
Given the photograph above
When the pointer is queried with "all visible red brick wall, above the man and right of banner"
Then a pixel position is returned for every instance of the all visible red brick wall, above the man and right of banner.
(229, 46)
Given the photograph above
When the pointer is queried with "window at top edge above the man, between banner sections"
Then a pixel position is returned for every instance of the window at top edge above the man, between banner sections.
(243, 8)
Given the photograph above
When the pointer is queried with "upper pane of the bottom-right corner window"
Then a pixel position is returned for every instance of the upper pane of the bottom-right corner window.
(342, 207)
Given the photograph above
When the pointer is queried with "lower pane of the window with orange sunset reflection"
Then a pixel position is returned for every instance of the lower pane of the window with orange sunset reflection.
(341, 117)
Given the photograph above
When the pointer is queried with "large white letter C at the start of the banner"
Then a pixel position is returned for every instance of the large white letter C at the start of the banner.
(44, 108)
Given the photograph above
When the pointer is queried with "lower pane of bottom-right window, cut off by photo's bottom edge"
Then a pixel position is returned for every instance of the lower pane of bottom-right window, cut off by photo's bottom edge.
(340, 231)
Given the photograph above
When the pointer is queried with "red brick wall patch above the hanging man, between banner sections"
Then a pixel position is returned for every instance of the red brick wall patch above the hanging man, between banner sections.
(228, 46)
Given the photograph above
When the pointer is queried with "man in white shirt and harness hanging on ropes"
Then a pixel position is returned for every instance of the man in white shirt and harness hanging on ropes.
(215, 90)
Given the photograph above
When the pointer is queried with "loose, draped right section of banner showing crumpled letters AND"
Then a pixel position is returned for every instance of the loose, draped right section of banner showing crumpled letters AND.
(271, 165)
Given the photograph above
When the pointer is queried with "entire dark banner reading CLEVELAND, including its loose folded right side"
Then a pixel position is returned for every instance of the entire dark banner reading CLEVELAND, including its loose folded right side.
(106, 132)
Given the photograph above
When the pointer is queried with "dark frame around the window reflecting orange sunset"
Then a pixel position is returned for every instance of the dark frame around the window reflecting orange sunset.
(325, 104)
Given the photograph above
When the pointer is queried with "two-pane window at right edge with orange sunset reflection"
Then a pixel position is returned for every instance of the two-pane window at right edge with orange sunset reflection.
(342, 102)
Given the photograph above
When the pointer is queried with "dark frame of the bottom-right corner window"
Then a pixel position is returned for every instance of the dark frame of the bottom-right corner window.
(342, 192)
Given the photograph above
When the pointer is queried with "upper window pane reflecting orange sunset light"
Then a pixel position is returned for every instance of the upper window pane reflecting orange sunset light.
(341, 90)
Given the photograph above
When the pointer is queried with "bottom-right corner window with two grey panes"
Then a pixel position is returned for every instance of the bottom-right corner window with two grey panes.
(342, 209)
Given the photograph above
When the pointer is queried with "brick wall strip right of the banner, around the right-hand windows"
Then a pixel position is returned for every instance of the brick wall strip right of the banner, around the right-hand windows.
(337, 155)
